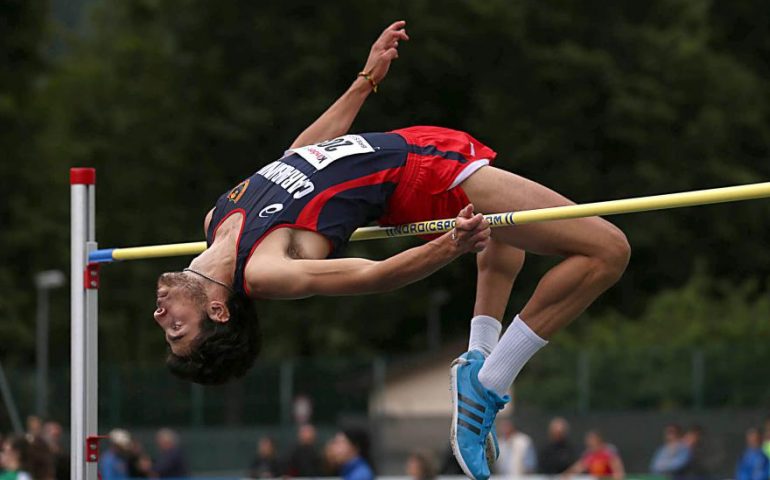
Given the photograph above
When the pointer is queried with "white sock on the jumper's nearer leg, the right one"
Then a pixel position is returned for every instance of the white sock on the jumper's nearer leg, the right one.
(516, 347)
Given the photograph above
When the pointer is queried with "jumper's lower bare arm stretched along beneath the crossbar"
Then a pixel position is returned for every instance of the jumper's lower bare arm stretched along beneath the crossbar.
(286, 278)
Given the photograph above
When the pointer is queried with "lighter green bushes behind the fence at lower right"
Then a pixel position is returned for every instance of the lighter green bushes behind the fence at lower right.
(701, 344)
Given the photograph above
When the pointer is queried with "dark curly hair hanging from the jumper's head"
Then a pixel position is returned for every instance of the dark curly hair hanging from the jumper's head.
(222, 351)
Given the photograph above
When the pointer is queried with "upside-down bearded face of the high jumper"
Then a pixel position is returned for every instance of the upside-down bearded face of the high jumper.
(181, 308)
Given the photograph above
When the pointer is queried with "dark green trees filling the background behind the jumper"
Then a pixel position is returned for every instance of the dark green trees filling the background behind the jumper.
(174, 101)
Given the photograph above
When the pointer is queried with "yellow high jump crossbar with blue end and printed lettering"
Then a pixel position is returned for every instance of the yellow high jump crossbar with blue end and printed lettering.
(612, 207)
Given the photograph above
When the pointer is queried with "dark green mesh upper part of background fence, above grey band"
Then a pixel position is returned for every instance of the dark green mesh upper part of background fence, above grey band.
(557, 379)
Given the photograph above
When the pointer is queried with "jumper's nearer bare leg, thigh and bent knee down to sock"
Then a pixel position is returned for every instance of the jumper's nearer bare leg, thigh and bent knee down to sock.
(595, 252)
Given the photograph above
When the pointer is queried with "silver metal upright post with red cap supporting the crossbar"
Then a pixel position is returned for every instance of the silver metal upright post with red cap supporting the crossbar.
(83, 331)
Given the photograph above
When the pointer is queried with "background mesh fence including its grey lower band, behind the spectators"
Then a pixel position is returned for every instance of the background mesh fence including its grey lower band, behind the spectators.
(628, 394)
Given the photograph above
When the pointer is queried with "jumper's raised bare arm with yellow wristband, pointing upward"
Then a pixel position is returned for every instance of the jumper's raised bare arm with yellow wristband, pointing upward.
(337, 119)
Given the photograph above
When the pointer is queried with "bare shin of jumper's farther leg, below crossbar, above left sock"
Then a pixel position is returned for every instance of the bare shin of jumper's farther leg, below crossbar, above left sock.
(498, 265)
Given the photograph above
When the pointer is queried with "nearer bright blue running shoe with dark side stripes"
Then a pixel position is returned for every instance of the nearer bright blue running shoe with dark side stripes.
(473, 417)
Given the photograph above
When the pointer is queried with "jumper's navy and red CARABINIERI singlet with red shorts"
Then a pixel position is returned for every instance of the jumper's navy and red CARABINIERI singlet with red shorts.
(339, 185)
